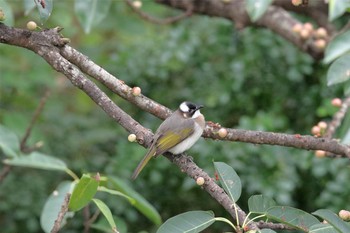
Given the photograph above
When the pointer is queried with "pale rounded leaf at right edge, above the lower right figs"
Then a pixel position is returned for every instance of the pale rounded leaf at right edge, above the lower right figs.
(339, 71)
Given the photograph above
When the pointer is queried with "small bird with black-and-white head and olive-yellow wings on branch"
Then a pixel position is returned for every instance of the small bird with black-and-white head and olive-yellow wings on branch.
(177, 133)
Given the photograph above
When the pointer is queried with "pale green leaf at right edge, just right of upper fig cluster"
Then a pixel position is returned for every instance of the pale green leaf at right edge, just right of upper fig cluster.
(337, 47)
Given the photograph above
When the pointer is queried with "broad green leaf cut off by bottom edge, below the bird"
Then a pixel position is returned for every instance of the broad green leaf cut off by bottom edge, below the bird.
(189, 222)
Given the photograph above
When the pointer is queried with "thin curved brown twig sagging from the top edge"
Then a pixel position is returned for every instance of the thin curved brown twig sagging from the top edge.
(155, 20)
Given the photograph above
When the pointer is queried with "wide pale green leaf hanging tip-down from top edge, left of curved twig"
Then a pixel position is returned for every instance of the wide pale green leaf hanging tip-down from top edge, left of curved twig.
(91, 12)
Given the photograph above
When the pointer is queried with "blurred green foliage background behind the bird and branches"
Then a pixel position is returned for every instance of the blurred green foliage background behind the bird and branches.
(249, 79)
